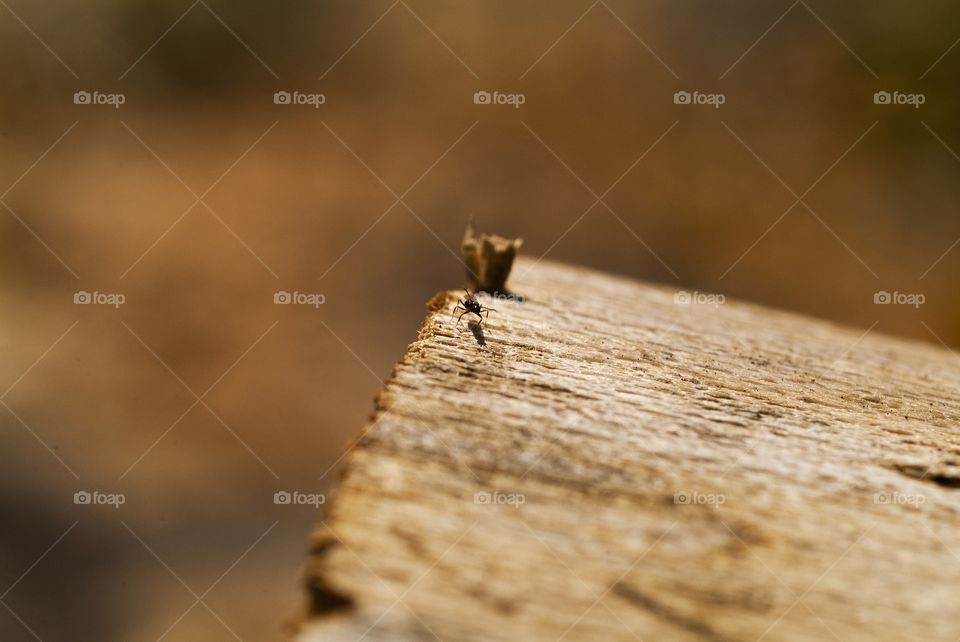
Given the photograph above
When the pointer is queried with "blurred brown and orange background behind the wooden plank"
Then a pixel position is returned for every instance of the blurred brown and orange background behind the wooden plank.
(199, 198)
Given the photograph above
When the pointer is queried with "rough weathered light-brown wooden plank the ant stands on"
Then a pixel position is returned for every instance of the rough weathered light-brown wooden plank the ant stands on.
(614, 465)
